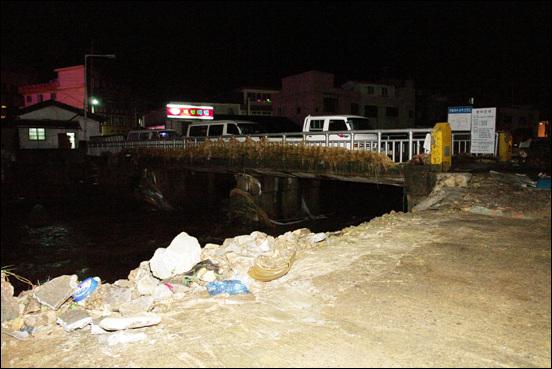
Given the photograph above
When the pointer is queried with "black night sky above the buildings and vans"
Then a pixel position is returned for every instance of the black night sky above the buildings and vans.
(170, 50)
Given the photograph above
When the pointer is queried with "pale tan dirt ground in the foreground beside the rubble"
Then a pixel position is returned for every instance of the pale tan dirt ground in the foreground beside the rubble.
(434, 288)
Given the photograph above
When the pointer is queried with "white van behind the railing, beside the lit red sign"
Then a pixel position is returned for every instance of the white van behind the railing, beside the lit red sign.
(216, 128)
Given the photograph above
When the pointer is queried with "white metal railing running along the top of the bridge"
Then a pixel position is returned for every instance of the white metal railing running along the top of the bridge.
(399, 144)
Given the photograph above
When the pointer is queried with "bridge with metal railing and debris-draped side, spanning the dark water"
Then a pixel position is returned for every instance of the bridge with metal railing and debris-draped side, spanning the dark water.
(290, 166)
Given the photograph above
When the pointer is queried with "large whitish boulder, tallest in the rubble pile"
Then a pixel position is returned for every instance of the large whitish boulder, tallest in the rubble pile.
(182, 254)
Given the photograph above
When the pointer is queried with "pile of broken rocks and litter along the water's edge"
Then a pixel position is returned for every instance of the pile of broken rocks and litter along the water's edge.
(181, 270)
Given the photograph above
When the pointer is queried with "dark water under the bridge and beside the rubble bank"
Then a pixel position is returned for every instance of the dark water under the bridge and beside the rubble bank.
(106, 237)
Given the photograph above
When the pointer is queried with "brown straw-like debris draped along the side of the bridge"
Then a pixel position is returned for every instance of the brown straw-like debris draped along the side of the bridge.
(263, 154)
